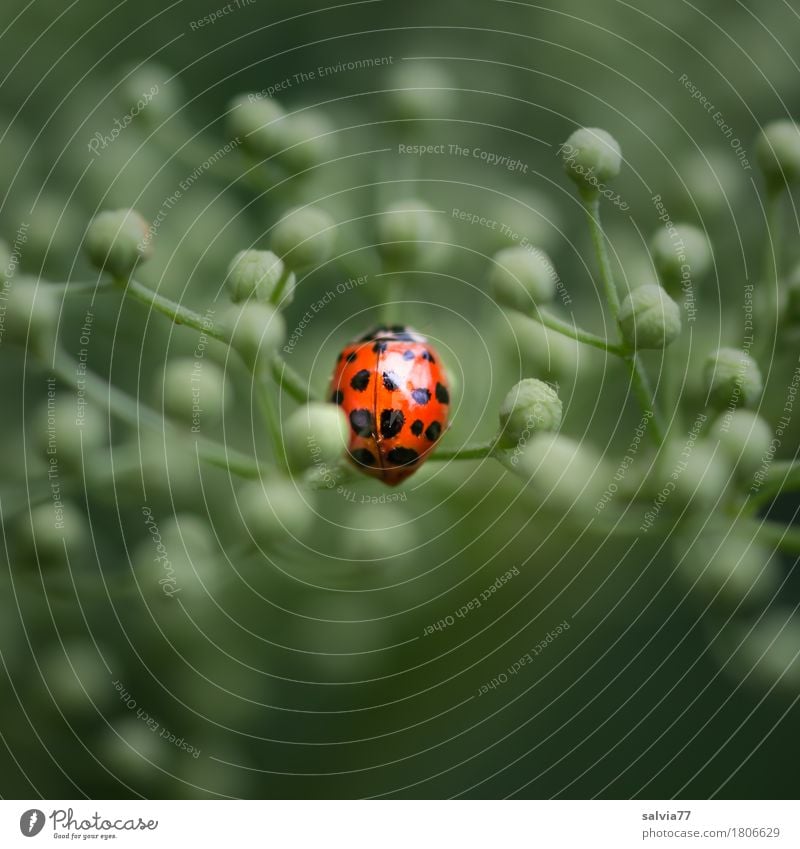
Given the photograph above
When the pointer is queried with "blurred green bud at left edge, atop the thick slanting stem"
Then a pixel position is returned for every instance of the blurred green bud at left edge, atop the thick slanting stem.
(31, 315)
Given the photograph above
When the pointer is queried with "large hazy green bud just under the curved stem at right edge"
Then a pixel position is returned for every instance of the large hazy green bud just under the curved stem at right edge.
(725, 562)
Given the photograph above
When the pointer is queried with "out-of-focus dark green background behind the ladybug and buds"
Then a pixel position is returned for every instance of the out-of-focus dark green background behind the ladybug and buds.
(303, 669)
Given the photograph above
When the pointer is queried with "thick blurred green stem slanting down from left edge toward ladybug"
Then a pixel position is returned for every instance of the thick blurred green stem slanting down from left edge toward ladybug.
(135, 414)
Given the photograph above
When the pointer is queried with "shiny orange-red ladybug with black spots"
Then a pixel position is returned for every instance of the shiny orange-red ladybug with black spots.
(391, 385)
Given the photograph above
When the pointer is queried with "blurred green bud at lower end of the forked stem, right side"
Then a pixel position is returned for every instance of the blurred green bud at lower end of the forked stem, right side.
(693, 472)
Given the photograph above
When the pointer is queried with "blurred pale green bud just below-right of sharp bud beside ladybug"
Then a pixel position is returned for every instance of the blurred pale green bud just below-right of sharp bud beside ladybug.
(563, 475)
